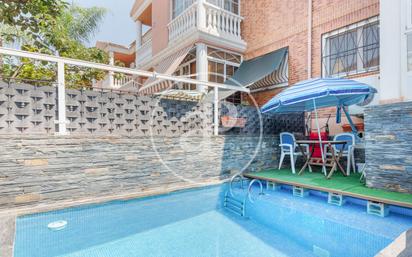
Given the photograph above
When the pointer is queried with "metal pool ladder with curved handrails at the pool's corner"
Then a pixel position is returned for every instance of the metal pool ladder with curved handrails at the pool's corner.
(235, 205)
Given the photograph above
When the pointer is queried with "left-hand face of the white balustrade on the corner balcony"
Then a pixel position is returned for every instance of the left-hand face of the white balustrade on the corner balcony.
(183, 23)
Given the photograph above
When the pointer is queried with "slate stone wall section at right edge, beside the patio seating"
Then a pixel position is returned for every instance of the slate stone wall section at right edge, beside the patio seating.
(388, 153)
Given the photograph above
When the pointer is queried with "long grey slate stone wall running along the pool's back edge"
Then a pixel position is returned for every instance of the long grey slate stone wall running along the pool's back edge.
(41, 170)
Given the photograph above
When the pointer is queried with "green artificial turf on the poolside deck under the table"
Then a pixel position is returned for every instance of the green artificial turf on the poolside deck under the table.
(339, 182)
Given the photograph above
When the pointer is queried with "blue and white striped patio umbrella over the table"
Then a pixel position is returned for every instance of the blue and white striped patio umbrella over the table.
(309, 95)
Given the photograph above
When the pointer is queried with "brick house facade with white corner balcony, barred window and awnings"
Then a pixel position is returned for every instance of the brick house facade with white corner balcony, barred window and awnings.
(275, 43)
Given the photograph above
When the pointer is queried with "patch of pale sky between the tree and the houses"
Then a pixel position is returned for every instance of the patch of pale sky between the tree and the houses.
(117, 26)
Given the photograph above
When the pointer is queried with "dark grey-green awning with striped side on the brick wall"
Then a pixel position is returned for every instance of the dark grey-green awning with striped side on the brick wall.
(263, 72)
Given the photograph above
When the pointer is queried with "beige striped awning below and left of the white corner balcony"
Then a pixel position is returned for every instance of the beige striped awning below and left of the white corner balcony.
(167, 66)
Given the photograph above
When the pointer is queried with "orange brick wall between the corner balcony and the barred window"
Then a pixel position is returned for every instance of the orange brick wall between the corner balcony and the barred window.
(272, 24)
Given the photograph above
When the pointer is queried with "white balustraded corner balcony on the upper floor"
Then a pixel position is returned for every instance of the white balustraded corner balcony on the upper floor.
(210, 22)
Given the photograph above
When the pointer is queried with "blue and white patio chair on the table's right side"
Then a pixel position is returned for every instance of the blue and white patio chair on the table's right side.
(348, 150)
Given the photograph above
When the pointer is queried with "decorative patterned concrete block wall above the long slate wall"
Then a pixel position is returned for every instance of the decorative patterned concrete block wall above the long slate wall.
(25, 109)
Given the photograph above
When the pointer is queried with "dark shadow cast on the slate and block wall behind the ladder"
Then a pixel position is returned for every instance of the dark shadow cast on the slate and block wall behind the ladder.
(255, 146)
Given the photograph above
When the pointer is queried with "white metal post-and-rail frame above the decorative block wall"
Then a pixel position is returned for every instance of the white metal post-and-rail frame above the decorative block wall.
(61, 88)
